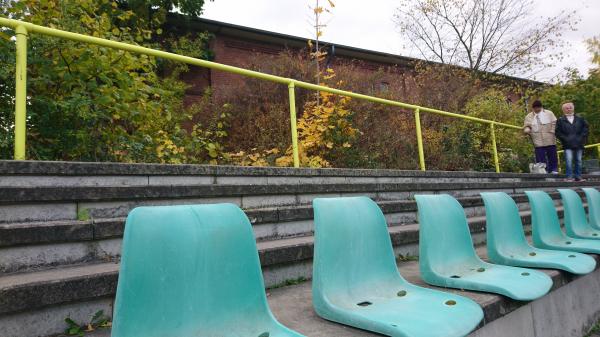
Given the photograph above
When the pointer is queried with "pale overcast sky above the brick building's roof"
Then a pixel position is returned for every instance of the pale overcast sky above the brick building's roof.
(369, 24)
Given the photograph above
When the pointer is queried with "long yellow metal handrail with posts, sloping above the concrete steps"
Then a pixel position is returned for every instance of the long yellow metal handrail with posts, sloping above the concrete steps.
(22, 29)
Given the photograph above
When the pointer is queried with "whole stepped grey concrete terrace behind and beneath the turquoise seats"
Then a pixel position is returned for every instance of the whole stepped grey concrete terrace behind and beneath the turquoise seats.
(61, 226)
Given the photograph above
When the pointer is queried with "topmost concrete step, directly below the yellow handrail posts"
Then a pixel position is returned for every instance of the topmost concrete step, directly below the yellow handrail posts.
(73, 174)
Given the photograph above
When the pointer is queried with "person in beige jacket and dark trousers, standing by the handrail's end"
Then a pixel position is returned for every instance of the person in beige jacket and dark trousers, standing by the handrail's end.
(540, 125)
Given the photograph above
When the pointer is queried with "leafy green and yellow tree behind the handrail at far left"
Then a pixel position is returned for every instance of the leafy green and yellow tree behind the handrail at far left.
(88, 102)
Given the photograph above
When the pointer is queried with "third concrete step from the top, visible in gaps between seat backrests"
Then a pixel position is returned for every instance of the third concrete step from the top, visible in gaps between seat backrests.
(40, 245)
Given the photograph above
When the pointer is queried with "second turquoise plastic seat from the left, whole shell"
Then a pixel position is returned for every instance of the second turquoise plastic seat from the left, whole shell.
(356, 281)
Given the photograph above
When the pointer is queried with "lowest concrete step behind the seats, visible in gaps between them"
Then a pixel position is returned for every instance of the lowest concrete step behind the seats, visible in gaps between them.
(282, 260)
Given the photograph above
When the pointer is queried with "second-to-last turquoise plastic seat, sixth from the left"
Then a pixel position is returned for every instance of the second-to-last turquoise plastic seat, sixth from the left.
(576, 222)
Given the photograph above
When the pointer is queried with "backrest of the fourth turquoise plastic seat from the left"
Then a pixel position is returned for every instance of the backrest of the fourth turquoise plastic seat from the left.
(504, 228)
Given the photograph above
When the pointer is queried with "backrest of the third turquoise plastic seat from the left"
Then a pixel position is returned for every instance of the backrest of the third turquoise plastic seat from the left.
(444, 236)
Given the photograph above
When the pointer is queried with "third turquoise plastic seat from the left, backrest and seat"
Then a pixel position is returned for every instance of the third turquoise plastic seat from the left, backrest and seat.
(447, 257)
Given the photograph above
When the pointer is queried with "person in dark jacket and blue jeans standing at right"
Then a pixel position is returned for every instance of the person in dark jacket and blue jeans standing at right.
(572, 131)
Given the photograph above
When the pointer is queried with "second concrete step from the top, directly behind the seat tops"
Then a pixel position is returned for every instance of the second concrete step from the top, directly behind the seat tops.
(26, 204)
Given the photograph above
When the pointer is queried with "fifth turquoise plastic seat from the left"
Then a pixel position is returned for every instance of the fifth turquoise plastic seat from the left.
(545, 227)
